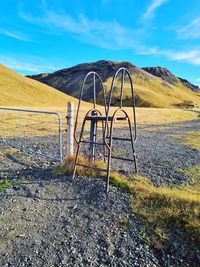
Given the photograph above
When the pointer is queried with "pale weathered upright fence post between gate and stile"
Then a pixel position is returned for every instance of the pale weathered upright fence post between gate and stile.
(70, 128)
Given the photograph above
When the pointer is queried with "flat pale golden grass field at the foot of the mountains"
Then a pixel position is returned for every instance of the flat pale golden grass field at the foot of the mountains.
(20, 123)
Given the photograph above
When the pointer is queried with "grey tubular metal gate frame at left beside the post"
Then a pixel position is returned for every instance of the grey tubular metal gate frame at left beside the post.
(60, 159)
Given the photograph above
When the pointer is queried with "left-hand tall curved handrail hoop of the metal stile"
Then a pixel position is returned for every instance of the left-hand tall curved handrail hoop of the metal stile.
(95, 75)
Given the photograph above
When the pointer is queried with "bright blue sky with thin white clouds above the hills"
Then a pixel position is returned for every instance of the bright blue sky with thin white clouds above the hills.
(47, 35)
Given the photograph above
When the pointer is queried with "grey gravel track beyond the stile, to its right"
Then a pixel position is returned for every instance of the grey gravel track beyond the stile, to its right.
(160, 154)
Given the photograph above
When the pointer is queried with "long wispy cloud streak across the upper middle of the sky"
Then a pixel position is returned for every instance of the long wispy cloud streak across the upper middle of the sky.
(105, 34)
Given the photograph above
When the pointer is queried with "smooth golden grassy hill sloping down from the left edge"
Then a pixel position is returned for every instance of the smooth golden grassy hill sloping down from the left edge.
(17, 90)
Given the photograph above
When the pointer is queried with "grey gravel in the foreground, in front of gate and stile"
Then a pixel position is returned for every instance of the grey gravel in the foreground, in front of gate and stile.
(60, 223)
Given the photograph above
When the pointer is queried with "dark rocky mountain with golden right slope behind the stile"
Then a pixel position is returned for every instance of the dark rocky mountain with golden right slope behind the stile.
(154, 87)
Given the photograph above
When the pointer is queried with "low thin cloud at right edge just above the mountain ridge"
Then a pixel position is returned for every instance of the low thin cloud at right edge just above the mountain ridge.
(189, 56)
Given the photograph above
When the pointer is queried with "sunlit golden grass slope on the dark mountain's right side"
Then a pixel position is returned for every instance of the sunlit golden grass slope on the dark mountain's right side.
(154, 92)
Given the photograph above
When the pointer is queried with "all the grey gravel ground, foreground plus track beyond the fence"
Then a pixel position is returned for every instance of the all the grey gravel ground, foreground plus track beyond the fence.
(57, 222)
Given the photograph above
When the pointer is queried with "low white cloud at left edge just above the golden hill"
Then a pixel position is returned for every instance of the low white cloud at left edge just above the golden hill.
(28, 63)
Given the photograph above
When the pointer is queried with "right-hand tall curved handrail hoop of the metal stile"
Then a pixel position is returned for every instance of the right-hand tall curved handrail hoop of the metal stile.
(124, 71)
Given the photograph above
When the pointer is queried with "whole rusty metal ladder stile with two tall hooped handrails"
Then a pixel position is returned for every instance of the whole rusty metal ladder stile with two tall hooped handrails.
(107, 130)
